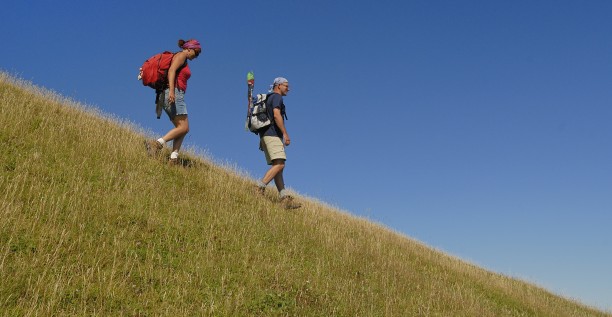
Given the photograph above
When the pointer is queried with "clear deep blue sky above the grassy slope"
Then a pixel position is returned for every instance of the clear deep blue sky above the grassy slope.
(481, 128)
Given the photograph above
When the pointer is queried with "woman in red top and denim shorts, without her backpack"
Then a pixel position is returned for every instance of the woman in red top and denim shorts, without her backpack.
(174, 100)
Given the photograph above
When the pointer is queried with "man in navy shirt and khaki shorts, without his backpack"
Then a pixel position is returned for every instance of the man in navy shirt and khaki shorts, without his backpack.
(273, 141)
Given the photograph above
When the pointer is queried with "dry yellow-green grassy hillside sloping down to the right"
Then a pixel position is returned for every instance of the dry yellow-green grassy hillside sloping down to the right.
(89, 225)
